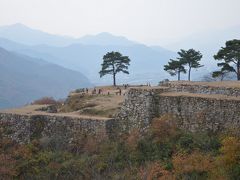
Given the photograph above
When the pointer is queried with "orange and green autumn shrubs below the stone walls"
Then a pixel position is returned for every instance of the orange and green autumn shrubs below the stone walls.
(163, 152)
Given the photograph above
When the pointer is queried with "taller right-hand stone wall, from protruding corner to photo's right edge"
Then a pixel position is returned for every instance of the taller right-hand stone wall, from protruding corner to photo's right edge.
(193, 112)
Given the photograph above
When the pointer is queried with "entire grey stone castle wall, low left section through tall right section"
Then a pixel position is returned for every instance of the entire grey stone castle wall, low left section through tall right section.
(200, 109)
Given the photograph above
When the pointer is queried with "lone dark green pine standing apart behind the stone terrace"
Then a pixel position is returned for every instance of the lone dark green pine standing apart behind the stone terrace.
(113, 63)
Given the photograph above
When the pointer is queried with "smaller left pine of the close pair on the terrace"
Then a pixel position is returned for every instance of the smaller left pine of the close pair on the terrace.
(175, 67)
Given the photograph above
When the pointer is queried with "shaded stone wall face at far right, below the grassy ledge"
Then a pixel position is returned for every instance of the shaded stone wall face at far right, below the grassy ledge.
(201, 113)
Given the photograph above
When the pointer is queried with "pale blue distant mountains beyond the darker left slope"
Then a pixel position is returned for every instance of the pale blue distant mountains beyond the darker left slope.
(85, 54)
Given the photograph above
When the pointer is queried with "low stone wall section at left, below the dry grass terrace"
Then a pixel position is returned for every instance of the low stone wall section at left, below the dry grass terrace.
(24, 128)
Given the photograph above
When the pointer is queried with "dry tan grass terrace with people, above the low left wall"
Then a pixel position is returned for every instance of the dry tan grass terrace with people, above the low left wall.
(80, 105)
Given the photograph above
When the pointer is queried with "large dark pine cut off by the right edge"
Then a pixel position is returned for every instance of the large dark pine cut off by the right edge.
(230, 57)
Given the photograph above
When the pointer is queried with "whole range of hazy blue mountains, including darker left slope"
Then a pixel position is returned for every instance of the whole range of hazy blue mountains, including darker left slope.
(35, 63)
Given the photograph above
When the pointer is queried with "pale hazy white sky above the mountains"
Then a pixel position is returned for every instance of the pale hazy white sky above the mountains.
(147, 21)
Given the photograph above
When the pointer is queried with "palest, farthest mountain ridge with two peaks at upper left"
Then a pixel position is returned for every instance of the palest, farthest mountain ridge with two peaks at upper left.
(28, 36)
